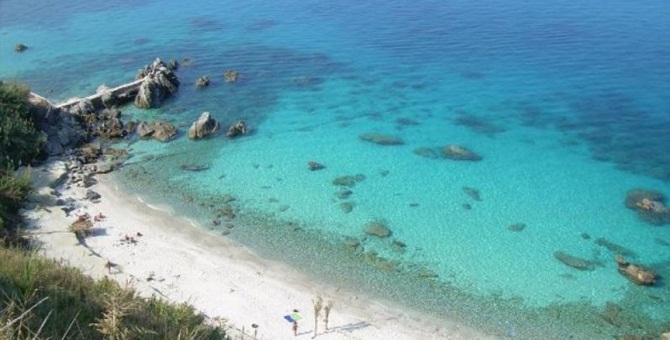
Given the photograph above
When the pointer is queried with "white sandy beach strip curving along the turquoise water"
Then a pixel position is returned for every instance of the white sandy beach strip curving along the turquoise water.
(219, 278)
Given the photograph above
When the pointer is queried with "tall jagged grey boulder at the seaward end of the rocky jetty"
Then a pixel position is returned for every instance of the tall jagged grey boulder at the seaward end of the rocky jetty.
(159, 83)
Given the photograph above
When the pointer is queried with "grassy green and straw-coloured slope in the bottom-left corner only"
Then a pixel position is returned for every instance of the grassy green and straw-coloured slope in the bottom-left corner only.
(44, 299)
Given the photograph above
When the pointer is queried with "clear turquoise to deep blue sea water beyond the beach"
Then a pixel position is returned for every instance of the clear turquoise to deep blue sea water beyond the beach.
(567, 103)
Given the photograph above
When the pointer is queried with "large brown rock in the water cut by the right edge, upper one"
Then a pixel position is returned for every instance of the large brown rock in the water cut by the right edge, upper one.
(650, 206)
